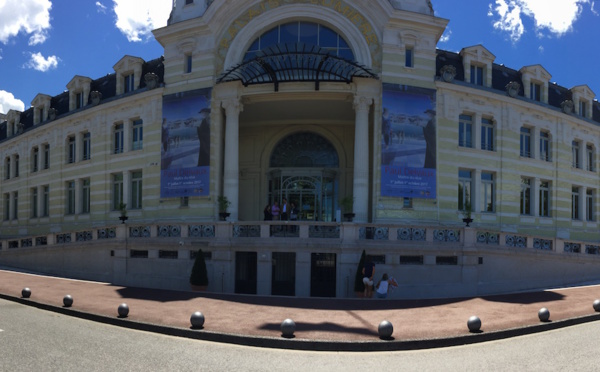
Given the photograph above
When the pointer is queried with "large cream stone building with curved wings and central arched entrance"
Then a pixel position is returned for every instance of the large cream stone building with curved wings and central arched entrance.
(312, 102)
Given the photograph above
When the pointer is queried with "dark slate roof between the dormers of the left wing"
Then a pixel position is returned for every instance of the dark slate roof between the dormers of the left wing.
(106, 85)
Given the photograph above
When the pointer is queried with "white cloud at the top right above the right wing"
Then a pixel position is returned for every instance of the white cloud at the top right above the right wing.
(556, 17)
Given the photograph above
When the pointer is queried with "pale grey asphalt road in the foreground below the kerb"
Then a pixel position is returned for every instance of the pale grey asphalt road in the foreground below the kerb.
(33, 339)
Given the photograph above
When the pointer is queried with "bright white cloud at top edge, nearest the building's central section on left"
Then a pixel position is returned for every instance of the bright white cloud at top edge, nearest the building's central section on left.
(136, 19)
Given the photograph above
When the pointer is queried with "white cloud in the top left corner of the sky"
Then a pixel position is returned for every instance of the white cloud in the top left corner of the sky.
(29, 16)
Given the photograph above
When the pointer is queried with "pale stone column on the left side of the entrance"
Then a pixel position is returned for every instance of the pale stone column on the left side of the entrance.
(231, 175)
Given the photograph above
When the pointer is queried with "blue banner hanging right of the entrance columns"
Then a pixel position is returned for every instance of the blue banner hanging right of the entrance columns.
(408, 142)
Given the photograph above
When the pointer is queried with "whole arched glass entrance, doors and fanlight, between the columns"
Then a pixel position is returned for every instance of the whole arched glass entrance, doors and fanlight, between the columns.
(304, 169)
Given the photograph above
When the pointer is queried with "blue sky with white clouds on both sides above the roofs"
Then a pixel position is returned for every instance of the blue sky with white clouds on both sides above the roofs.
(45, 43)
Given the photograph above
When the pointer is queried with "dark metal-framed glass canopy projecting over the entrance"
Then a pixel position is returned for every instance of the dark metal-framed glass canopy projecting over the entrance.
(295, 62)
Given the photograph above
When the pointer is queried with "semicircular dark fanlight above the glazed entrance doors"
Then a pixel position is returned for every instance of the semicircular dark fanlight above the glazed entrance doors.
(301, 150)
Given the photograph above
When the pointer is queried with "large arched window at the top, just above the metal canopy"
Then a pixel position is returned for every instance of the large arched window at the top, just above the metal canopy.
(302, 32)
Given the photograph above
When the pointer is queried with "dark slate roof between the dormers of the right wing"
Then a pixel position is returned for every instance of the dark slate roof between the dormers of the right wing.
(502, 75)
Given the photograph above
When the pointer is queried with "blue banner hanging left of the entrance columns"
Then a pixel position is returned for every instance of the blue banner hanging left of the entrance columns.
(185, 148)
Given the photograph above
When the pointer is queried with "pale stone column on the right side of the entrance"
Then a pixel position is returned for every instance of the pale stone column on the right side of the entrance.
(361, 158)
